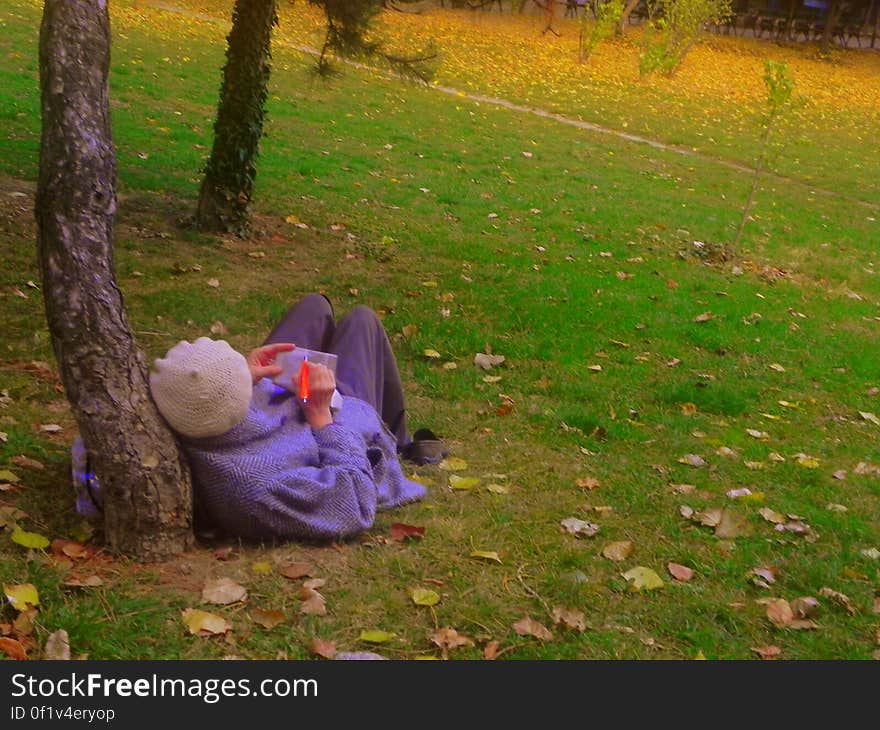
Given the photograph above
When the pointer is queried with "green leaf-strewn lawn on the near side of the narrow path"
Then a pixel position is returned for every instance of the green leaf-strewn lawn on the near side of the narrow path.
(601, 269)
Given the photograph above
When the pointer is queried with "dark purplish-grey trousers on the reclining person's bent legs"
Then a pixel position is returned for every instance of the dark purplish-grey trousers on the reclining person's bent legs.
(366, 368)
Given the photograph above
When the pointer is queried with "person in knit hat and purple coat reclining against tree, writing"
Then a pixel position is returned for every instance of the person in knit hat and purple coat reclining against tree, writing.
(268, 464)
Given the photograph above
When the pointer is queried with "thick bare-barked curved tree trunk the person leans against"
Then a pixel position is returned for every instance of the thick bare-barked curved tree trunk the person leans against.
(144, 479)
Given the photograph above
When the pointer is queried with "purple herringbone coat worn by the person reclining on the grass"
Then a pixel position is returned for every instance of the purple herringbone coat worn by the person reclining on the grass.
(274, 477)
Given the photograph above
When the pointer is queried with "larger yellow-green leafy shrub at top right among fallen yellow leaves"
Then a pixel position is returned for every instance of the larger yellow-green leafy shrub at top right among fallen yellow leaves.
(671, 36)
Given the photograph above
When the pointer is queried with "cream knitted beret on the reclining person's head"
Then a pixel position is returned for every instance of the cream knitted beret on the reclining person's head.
(202, 388)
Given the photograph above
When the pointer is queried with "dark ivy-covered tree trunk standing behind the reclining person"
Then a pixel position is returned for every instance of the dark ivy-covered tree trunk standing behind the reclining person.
(231, 170)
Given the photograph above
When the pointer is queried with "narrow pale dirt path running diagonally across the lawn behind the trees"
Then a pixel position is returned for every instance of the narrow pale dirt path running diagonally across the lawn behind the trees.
(559, 118)
